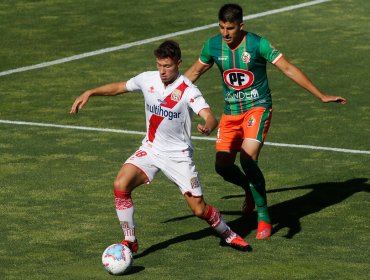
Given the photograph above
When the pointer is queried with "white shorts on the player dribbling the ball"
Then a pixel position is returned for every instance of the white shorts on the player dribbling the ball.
(180, 170)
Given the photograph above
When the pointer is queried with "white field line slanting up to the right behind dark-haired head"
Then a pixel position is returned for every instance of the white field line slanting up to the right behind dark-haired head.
(154, 39)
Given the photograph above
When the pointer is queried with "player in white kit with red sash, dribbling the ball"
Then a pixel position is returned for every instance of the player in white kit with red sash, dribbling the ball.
(170, 100)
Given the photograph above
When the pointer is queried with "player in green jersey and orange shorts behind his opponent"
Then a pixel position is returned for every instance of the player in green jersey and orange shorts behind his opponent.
(241, 57)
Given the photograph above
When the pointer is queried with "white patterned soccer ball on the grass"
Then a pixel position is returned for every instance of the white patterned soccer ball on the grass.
(117, 259)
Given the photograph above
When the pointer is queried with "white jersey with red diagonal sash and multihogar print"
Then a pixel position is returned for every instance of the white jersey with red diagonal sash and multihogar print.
(168, 111)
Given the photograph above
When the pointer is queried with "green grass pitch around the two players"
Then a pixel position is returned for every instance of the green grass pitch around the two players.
(56, 184)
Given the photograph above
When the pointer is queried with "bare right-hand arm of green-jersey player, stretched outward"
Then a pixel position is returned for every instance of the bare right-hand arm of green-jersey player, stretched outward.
(297, 75)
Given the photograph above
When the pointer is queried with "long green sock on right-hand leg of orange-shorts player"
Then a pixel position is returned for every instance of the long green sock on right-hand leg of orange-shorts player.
(257, 186)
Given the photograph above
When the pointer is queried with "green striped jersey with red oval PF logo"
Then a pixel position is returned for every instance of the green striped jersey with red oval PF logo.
(243, 71)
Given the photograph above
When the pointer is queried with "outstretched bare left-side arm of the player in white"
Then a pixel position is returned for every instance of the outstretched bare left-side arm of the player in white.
(112, 89)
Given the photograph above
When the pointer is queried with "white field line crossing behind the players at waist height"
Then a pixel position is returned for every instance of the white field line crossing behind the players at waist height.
(194, 137)
